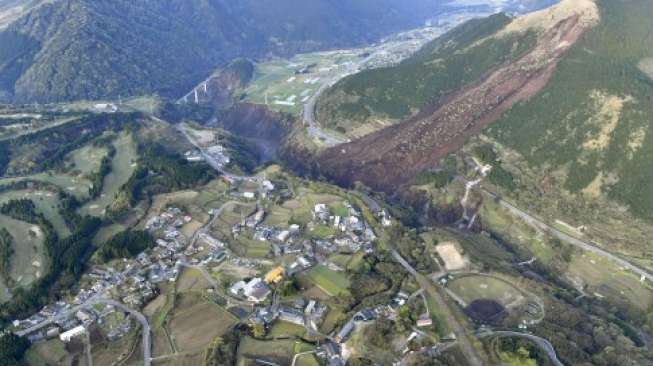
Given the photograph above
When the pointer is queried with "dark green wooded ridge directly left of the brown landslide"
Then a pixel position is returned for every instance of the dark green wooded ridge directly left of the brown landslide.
(440, 68)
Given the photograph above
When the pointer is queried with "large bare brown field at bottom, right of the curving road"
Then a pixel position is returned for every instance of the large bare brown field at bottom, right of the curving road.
(196, 326)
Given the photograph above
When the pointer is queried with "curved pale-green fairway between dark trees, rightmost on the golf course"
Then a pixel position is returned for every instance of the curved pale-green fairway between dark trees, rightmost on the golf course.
(122, 167)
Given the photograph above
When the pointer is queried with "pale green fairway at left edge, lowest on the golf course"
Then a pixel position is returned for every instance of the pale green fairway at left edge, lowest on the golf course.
(29, 259)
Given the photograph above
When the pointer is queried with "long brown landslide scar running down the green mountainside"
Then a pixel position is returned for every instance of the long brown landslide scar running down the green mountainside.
(391, 157)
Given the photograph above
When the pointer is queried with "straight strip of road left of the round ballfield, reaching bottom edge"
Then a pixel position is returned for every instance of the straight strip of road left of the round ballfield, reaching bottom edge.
(466, 346)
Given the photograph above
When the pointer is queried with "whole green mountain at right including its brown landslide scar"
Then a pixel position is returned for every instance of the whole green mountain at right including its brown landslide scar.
(578, 130)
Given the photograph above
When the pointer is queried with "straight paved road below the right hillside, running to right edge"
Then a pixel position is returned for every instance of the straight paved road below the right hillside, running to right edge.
(591, 247)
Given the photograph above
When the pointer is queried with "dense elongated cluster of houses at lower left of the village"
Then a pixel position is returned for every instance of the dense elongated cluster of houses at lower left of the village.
(134, 284)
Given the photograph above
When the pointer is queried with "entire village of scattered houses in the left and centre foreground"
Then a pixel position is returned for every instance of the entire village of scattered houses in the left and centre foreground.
(293, 250)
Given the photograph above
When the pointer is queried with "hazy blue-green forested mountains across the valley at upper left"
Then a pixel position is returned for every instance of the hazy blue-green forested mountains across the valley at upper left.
(72, 49)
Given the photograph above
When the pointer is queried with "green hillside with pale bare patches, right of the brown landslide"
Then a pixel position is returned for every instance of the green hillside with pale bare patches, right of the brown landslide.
(590, 127)
